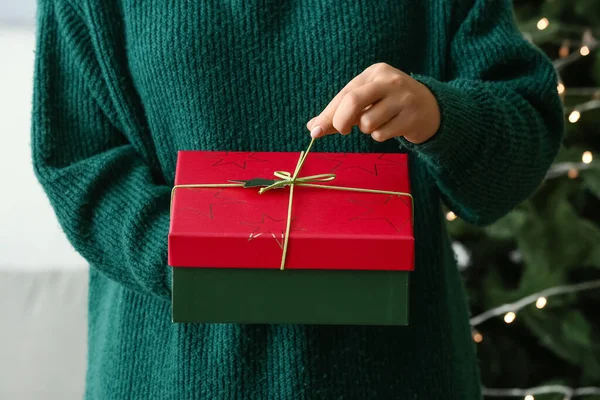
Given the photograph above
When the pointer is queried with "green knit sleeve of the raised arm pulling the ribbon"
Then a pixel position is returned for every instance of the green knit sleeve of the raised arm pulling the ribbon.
(502, 120)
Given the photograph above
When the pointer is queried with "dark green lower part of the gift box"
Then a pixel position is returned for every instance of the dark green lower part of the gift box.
(266, 296)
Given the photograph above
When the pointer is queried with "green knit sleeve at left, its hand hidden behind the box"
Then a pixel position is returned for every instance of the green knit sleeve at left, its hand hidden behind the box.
(113, 207)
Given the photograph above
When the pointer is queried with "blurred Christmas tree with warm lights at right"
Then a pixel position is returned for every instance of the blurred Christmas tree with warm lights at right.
(533, 278)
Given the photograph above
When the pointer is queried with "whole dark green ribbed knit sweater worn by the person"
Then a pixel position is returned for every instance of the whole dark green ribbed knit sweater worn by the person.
(121, 86)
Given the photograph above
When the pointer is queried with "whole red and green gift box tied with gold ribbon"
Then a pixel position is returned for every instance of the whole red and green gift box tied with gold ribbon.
(299, 238)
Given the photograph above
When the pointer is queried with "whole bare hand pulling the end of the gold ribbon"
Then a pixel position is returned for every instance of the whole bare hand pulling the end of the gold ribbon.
(384, 102)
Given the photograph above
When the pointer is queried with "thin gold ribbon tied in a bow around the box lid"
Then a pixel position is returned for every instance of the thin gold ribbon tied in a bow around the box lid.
(291, 180)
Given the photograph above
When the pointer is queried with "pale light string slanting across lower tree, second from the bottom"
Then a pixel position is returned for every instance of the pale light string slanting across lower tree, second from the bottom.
(512, 308)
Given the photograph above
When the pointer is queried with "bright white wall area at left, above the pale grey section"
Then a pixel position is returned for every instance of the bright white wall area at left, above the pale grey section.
(29, 233)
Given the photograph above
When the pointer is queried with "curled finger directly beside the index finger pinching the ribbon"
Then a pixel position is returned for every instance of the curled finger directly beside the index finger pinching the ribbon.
(354, 103)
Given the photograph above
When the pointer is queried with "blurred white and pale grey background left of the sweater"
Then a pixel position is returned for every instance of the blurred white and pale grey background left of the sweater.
(43, 282)
